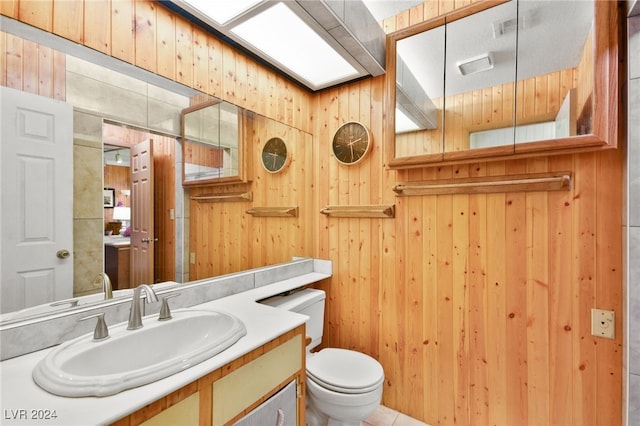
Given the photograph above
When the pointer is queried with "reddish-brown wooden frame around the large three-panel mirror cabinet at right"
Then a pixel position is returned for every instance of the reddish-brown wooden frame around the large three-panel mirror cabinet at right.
(606, 95)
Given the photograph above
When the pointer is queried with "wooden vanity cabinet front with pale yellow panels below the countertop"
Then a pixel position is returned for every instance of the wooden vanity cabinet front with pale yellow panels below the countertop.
(229, 393)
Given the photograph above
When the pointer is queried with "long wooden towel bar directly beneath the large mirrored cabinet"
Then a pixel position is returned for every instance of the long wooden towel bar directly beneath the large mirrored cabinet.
(556, 181)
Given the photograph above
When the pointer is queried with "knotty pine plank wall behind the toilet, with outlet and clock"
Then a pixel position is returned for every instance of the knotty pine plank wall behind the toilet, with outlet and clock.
(478, 306)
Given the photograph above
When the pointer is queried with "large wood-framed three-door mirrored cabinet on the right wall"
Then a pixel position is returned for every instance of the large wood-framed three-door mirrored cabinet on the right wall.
(510, 78)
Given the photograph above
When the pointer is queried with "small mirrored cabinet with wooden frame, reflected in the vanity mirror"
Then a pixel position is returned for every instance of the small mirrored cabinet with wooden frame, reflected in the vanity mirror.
(213, 149)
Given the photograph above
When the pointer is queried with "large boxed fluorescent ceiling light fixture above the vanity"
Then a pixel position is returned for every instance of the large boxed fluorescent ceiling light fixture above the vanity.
(316, 43)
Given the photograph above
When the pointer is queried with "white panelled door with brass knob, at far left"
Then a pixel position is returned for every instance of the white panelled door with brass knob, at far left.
(36, 206)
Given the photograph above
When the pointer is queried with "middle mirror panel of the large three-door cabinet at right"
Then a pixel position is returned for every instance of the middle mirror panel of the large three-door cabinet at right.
(479, 95)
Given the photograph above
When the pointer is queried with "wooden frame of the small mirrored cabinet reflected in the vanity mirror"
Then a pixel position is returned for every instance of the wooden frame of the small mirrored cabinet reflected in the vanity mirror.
(243, 154)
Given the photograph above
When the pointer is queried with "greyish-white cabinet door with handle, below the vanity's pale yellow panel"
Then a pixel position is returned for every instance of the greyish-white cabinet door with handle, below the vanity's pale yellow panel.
(279, 410)
